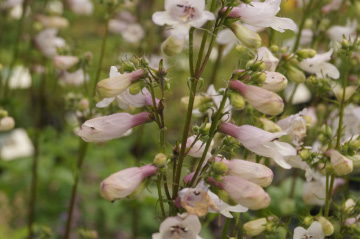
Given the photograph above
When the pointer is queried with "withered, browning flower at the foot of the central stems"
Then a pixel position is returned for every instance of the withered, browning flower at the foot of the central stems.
(196, 200)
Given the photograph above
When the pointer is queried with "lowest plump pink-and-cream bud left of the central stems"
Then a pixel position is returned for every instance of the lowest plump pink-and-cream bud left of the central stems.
(124, 182)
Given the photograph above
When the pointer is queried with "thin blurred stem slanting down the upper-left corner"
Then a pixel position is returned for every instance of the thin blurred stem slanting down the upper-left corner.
(16, 48)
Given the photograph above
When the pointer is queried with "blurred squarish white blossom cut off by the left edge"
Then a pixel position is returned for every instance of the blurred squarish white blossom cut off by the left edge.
(16, 144)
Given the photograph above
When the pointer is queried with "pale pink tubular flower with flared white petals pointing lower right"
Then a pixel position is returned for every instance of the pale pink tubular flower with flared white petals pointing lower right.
(261, 142)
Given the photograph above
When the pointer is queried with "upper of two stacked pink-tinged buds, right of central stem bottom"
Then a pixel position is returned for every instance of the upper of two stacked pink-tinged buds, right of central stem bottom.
(253, 172)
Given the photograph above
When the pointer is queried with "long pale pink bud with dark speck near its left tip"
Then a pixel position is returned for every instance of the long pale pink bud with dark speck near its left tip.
(109, 127)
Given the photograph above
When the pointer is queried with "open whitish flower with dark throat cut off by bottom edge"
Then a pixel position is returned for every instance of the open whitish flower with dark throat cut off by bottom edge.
(184, 226)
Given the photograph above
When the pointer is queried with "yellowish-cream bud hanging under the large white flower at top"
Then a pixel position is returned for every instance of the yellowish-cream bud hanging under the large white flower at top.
(249, 38)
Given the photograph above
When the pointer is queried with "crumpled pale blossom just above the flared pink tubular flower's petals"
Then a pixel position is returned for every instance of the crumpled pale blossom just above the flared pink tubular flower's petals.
(294, 125)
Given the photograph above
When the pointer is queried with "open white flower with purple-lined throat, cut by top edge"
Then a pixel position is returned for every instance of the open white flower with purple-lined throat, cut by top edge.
(182, 15)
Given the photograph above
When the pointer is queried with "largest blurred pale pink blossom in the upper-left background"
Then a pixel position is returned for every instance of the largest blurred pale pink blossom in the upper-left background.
(47, 42)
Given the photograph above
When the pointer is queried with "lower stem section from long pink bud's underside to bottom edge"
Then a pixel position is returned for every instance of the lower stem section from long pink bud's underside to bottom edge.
(81, 155)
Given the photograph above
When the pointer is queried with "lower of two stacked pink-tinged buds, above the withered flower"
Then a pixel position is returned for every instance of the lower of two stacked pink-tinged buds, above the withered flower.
(244, 192)
